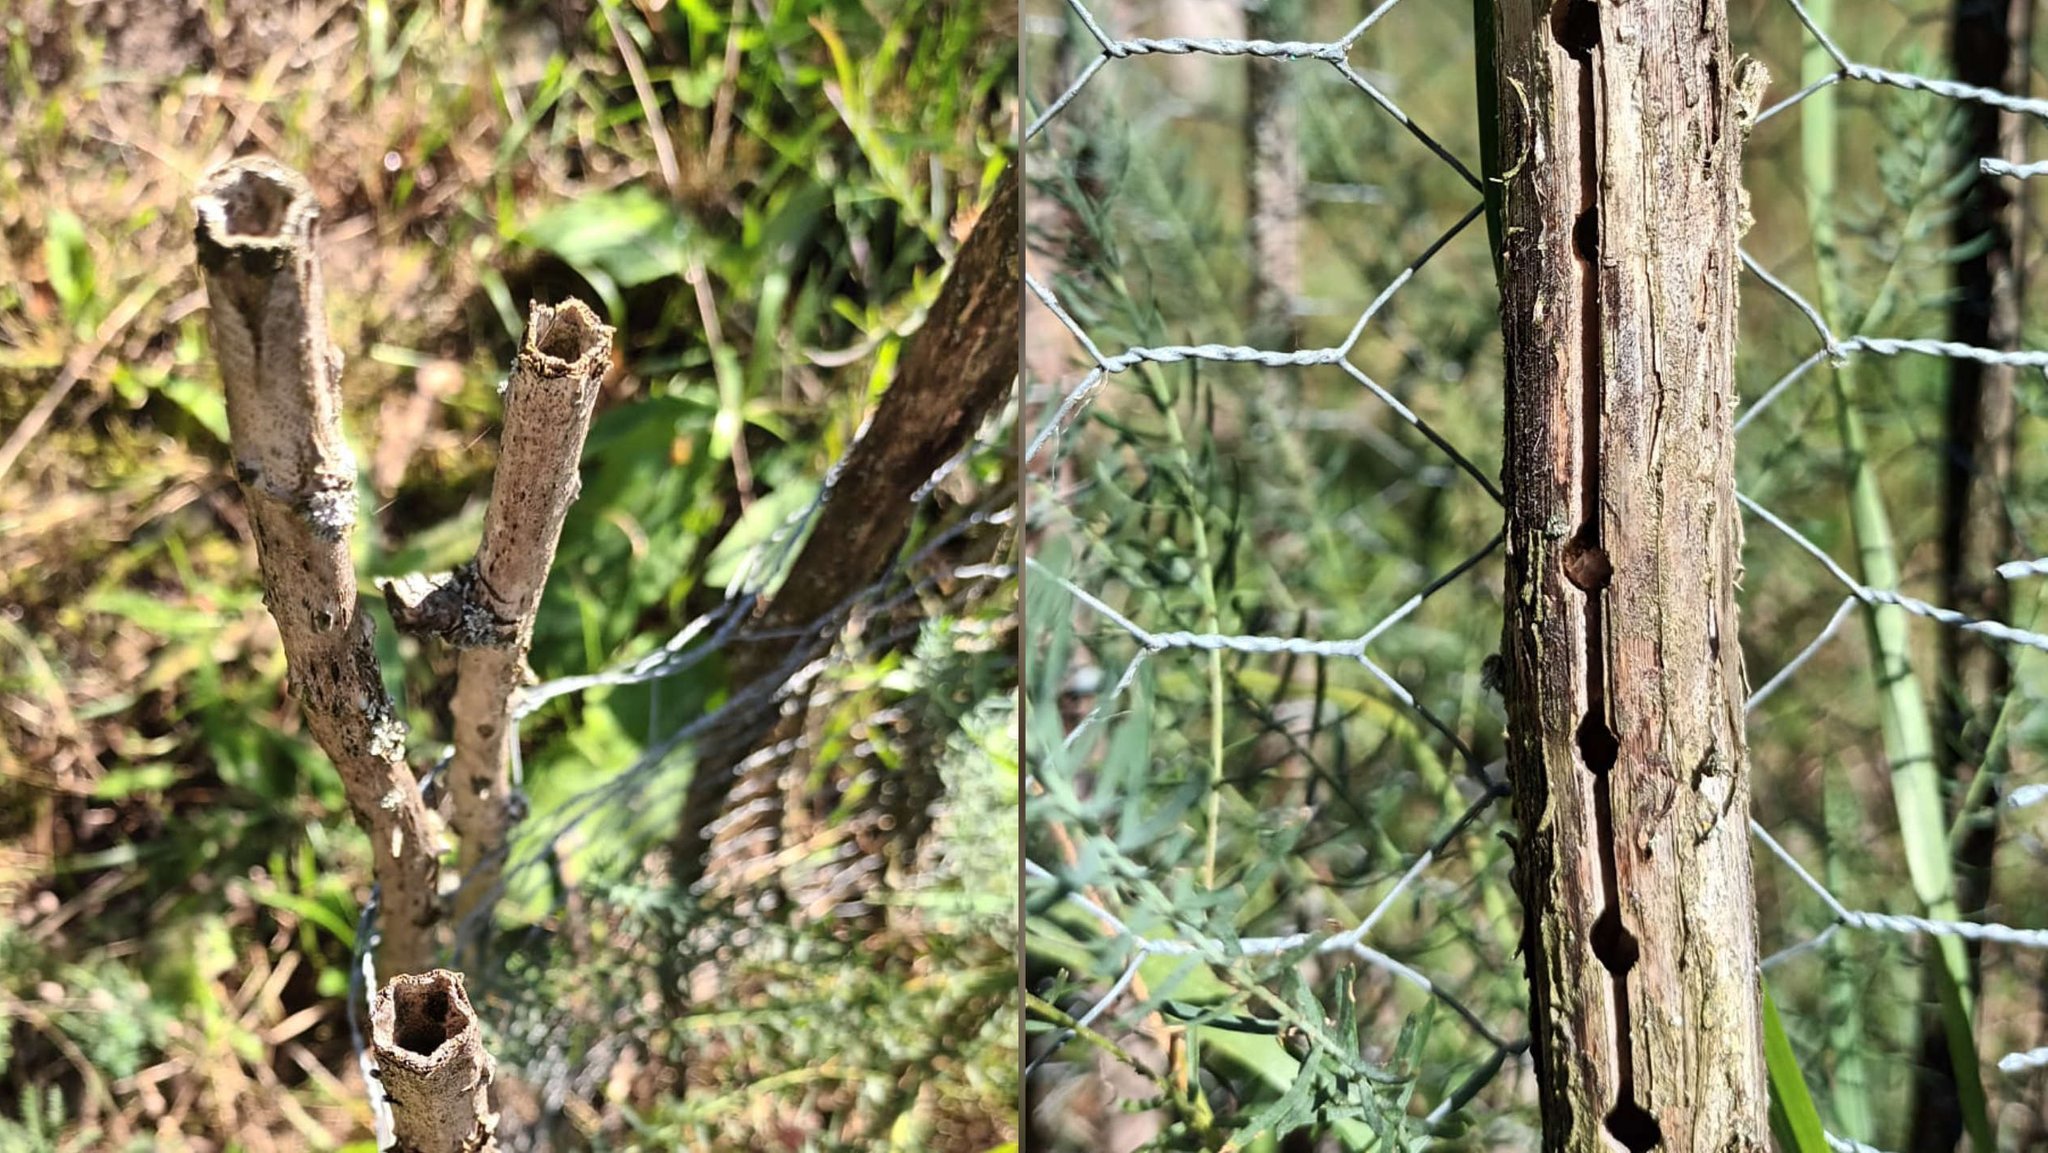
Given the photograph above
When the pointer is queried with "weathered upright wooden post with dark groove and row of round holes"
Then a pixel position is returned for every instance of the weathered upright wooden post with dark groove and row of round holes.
(1621, 132)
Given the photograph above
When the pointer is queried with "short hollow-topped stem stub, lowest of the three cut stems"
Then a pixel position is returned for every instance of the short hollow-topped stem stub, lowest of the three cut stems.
(433, 1066)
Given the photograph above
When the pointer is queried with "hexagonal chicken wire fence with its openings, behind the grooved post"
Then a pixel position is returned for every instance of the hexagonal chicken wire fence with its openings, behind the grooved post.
(1265, 869)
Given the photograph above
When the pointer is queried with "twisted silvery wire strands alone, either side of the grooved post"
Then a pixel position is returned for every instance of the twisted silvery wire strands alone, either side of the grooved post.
(1150, 644)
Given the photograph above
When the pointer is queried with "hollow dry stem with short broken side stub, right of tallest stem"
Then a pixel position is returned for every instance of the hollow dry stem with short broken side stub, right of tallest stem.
(486, 609)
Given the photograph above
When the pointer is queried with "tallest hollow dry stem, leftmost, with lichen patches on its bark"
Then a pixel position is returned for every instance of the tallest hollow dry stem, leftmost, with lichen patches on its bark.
(257, 237)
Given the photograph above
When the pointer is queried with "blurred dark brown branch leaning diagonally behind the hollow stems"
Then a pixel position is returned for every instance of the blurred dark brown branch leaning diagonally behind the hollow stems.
(955, 372)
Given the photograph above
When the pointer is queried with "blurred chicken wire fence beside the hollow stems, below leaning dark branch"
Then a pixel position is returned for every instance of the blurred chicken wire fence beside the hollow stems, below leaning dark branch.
(603, 949)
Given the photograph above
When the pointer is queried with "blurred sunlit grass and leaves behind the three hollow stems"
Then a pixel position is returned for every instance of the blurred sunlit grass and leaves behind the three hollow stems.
(763, 198)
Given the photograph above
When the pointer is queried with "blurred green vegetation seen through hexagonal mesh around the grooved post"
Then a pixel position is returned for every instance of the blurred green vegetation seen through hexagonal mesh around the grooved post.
(1291, 503)
